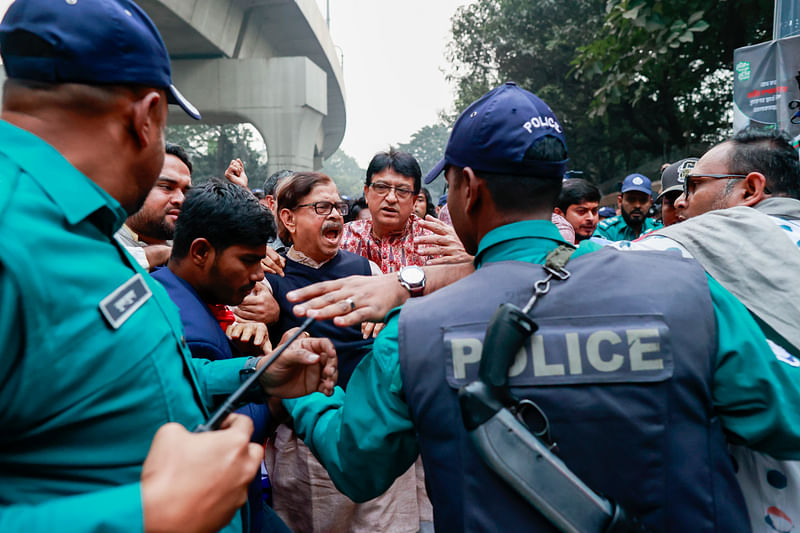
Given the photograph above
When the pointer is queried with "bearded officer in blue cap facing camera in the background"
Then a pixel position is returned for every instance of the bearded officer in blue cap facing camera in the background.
(635, 198)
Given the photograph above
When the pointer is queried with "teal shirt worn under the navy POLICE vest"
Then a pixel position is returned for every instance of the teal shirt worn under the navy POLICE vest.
(366, 438)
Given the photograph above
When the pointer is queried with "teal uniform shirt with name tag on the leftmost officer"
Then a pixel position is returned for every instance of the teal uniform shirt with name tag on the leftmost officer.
(80, 399)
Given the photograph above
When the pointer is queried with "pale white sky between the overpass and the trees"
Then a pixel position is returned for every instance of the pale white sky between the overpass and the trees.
(394, 68)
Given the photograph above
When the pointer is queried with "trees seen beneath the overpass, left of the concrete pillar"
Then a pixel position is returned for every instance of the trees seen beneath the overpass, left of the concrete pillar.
(212, 147)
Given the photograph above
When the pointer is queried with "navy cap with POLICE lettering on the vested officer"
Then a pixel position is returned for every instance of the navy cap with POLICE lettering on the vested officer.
(493, 134)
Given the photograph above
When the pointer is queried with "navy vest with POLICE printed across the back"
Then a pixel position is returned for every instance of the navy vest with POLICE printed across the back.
(621, 365)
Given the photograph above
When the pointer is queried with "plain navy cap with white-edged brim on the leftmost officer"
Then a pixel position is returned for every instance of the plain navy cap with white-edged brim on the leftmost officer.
(93, 42)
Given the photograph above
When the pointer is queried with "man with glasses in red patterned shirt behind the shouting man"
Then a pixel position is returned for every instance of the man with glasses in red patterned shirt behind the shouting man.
(393, 182)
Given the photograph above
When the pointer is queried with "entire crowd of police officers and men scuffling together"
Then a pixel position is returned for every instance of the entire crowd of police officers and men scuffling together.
(663, 352)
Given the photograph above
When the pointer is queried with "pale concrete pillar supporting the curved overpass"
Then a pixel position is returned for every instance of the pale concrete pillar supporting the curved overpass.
(285, 98)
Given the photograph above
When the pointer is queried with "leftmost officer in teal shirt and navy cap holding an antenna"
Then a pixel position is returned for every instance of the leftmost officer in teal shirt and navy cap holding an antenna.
(98, 388)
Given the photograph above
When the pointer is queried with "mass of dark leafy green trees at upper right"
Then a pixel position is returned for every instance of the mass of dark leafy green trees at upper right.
(618, 117)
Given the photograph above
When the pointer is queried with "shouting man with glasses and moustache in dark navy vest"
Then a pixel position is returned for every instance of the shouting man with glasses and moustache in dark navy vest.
(310, 213)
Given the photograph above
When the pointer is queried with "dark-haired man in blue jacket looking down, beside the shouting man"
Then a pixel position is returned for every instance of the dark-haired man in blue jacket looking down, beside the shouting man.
(219, 263)
